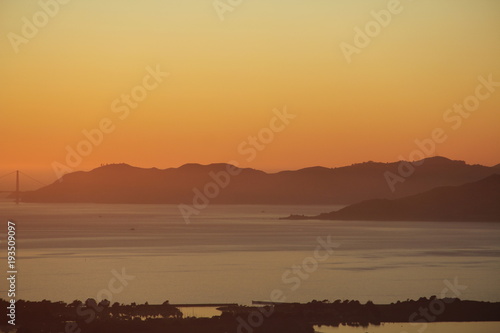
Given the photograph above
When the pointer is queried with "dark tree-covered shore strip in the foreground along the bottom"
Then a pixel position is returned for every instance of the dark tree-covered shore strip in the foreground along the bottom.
(102, 317)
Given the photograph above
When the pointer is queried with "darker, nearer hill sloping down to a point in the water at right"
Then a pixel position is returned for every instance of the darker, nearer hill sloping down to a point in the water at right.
(477, 201)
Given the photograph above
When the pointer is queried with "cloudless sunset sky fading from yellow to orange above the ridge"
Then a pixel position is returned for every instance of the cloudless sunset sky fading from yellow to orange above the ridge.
(227, 76)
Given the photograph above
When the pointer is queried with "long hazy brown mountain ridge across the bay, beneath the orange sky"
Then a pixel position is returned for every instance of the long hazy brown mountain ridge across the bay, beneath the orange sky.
(122, 183)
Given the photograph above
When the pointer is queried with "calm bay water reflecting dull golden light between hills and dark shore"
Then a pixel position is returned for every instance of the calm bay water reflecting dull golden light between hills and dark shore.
(240, 253)
